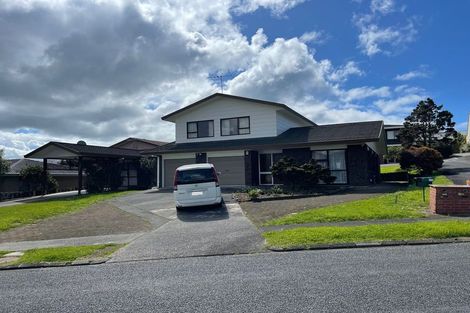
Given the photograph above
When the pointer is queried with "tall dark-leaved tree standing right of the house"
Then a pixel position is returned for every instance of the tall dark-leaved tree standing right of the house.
(428, 125)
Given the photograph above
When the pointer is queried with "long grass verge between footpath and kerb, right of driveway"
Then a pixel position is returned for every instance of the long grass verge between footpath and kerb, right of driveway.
(303, 237)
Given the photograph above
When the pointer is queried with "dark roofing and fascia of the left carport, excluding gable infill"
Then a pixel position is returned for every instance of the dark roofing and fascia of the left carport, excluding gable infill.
(88, 150)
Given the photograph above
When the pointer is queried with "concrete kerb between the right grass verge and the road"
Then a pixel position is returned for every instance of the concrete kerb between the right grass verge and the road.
(352, 245)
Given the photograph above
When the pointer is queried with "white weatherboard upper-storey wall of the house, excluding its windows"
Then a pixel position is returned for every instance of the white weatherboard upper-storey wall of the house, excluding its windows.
(263, 118)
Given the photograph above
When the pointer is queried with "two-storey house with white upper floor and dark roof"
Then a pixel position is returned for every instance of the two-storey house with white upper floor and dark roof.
(243, 137)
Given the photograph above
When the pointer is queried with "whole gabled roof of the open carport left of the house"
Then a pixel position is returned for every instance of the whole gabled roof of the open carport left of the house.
(59, 150)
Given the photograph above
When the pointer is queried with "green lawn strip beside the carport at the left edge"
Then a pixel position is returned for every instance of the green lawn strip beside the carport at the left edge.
(21, 214)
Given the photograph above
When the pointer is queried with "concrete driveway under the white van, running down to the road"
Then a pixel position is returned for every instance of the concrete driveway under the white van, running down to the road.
(190, 232)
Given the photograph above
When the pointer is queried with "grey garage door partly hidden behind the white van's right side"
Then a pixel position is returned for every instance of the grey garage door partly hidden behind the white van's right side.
(232, 169)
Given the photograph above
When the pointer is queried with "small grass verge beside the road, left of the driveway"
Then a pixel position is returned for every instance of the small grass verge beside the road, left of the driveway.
(65, 254)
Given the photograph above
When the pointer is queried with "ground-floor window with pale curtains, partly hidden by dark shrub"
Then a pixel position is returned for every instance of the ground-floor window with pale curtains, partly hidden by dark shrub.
(335, 161)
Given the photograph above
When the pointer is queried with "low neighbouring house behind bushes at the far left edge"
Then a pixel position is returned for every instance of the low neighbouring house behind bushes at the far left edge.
(11, 184)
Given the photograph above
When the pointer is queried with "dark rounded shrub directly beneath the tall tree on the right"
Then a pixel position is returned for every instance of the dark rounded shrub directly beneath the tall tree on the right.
(424, 159)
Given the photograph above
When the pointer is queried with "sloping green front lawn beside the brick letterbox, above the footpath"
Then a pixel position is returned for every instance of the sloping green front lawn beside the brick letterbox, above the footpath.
(401, 204)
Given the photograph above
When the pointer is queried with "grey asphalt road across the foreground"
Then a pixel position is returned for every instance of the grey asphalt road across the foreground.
(391, 279)
